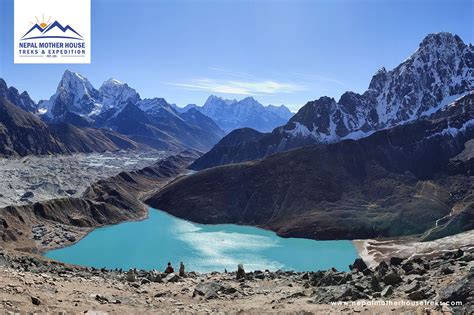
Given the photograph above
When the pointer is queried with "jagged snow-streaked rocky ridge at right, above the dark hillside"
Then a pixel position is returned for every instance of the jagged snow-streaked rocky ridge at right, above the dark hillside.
(440, 71)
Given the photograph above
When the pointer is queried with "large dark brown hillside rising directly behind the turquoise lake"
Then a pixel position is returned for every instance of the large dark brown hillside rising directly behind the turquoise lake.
(395, 182)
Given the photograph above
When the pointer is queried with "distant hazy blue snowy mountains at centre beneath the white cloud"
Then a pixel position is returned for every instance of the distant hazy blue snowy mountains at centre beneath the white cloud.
(233, 114)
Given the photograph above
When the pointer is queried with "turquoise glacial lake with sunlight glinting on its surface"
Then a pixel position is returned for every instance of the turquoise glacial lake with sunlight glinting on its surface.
(151, 243)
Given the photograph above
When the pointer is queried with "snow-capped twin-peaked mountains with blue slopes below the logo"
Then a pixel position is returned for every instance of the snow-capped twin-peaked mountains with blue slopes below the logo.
(119, 107)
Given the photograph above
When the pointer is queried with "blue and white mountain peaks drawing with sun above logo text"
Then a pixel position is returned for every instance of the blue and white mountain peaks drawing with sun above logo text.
(52, 30)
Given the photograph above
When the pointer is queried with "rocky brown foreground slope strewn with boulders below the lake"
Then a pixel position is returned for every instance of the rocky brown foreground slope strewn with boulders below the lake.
(34, 284)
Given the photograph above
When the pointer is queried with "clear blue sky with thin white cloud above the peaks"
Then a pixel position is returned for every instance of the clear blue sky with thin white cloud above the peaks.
(280, 52)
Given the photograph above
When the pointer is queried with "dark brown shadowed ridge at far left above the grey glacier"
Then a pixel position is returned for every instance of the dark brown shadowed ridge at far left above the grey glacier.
(23, 133)
